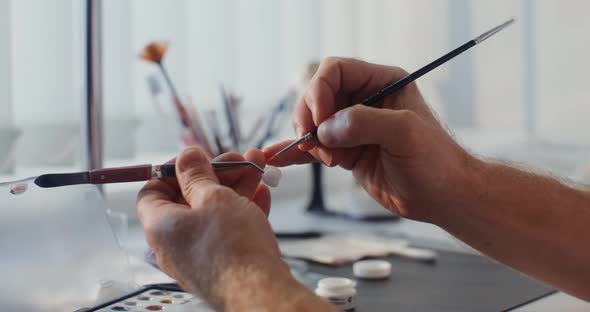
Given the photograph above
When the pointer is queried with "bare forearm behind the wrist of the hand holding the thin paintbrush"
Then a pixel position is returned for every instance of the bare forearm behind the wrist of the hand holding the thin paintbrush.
(531, 222)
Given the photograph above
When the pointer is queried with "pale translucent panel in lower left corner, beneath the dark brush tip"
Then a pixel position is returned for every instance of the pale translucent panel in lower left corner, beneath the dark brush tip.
(57, 247)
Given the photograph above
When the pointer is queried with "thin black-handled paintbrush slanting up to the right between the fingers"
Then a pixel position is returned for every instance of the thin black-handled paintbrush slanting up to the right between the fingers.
(372, 100)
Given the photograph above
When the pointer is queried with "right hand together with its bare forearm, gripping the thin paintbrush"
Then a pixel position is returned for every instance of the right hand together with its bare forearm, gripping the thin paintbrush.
(406, 160)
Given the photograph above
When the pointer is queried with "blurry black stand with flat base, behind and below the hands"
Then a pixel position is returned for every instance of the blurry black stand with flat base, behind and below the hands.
(317, 204)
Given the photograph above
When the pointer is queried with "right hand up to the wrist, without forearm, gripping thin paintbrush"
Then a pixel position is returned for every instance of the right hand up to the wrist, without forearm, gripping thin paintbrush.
(398, 151)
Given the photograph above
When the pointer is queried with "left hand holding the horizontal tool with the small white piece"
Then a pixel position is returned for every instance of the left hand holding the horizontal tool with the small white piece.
(210, 232)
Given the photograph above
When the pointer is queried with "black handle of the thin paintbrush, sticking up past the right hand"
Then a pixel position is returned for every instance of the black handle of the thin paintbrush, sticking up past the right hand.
(417, 74)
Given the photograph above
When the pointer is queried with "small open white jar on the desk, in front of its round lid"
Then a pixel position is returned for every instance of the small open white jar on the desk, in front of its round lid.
(341, 292)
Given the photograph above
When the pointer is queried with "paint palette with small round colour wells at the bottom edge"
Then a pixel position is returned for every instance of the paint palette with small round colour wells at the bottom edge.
(156, 299)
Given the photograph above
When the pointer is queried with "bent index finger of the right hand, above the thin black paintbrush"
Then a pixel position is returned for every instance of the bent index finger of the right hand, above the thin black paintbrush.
(339, 83)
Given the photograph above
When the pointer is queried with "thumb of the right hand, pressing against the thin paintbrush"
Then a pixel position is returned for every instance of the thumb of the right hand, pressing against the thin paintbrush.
(364, 125)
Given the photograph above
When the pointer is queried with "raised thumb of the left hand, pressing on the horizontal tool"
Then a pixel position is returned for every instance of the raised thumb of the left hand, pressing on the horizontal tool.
(195, 175)
